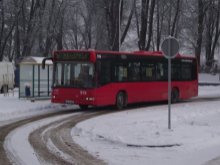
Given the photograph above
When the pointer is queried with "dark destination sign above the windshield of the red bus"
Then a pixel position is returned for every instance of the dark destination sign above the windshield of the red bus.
(81, 56)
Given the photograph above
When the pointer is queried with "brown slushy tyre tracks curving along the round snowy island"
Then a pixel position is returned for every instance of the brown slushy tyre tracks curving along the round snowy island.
(57, 146)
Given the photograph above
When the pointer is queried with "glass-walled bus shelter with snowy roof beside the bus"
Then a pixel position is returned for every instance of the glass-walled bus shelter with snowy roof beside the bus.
(35, 82)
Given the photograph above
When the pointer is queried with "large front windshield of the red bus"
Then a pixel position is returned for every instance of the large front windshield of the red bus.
(74, 75)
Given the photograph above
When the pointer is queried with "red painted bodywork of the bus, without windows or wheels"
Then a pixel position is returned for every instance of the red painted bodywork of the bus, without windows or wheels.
(135, 91)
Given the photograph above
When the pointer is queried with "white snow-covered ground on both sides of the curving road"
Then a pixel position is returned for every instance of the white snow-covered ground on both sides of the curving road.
(140, 136)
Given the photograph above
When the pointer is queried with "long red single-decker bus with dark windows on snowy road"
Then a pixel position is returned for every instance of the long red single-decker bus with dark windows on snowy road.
(102, 78)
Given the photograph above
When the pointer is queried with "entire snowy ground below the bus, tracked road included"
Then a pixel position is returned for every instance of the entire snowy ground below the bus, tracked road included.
(104, 139)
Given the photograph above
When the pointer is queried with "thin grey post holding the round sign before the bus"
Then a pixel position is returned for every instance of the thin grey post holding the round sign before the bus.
(169, 85)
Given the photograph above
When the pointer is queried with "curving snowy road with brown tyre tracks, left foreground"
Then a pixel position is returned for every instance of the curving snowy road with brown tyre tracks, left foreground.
(45, 139)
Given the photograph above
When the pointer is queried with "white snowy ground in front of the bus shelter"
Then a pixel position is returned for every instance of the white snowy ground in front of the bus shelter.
(14, 108)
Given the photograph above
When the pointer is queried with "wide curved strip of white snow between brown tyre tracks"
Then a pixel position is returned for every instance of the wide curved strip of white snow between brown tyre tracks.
(17, 139)
